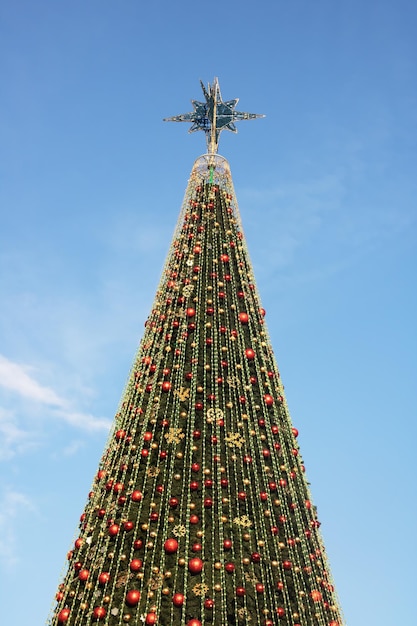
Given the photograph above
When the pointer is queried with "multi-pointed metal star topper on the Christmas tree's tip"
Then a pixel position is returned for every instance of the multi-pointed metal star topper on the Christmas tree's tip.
(213, 115)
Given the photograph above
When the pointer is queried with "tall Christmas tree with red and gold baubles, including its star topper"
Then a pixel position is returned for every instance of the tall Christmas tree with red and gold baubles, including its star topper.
(200, 511)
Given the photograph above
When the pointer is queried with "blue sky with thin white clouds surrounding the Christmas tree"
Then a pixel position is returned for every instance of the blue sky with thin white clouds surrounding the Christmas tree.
(91, 185)
